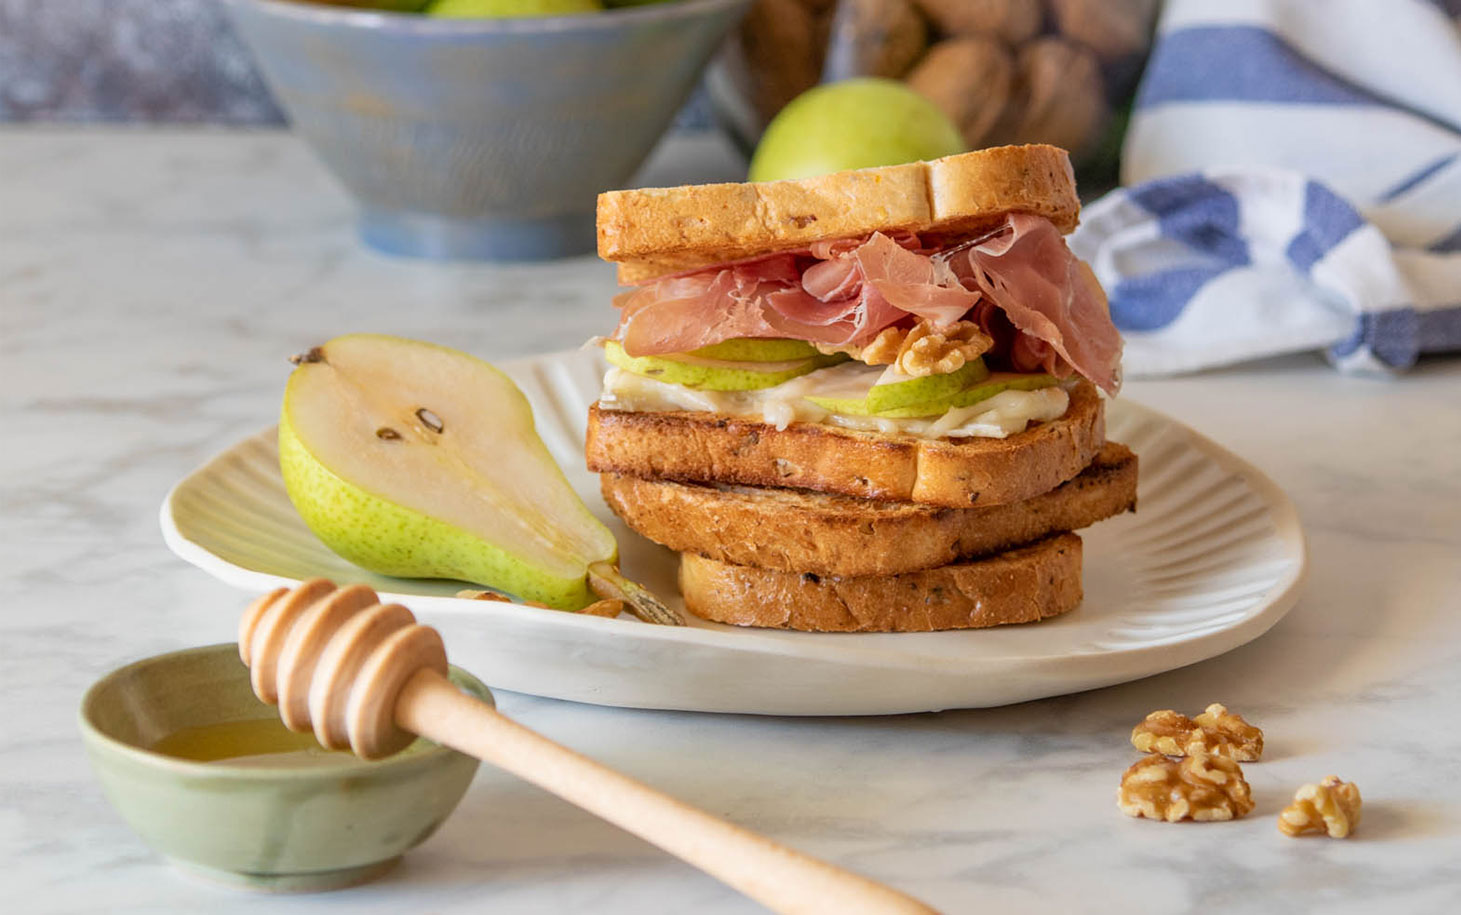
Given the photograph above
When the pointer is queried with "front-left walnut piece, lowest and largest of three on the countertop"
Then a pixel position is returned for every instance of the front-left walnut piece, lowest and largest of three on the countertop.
(1196, 789)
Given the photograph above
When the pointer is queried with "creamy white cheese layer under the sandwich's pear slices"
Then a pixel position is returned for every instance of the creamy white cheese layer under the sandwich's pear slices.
(997, 417)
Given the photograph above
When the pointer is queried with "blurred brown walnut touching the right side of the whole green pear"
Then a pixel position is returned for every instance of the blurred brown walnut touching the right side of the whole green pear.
(971, 80)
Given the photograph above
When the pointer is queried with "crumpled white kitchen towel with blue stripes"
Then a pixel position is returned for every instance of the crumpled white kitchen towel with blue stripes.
(1294, 182)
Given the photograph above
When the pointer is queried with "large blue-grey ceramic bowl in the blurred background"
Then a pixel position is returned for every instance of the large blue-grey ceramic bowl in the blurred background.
(483, 138)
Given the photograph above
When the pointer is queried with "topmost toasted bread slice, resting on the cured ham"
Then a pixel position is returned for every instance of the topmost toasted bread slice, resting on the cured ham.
(655, 232)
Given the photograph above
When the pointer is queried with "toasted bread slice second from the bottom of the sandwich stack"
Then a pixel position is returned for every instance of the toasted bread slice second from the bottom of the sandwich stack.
(800, 531)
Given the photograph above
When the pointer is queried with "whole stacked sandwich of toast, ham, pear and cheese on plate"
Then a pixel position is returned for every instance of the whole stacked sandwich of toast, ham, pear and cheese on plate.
(871, 401)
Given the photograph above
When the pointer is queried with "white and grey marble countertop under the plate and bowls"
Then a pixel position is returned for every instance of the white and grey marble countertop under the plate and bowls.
(151, 284)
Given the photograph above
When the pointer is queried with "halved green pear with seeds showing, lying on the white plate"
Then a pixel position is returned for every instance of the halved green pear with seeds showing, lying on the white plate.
(420, 461)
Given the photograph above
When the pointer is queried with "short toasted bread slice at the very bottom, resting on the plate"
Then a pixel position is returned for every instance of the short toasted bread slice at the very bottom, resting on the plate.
(1022, 585)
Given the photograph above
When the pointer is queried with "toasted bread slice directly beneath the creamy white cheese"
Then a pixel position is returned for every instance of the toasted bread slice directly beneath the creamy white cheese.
(959, 474)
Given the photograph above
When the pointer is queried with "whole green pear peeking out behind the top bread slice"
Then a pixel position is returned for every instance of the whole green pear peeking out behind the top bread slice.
(857, 124)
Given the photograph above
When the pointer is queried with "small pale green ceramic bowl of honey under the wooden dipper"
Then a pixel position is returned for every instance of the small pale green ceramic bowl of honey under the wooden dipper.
(290, 829)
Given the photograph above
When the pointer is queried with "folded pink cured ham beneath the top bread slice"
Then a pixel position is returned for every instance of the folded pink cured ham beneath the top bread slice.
(1021, 283)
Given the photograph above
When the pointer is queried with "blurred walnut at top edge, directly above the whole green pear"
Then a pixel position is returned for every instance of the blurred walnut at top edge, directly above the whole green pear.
(874, 39)
